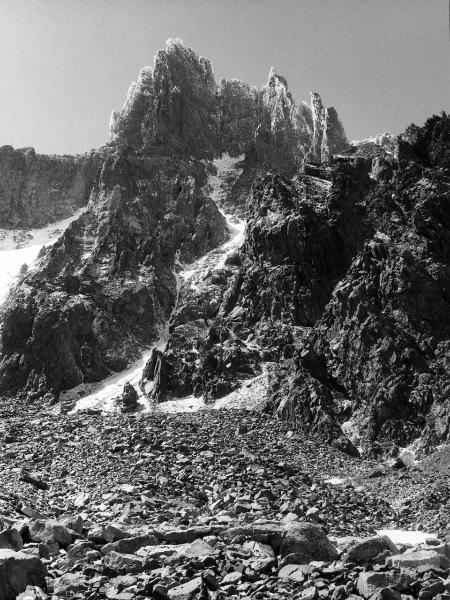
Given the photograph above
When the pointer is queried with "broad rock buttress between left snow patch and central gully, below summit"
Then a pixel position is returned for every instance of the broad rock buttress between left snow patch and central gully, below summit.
(101, 293)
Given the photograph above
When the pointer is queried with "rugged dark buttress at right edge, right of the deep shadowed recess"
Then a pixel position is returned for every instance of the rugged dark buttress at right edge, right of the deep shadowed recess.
(378, 352)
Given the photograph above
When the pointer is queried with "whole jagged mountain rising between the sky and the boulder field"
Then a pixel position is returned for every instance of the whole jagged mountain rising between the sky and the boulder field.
(338, 296)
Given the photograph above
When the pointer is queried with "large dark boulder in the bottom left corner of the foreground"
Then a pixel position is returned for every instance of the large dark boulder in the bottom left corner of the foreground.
(17, 571)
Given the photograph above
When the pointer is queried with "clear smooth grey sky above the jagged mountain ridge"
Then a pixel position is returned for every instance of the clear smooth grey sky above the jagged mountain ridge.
(66, 64)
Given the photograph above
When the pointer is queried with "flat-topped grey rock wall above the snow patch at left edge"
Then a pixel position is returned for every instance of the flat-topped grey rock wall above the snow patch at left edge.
(36, 190)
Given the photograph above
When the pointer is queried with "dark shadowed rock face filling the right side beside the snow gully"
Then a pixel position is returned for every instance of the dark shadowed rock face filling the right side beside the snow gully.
(345, 287)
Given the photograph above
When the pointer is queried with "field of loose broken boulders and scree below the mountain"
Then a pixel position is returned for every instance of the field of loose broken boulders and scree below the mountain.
(214, 504)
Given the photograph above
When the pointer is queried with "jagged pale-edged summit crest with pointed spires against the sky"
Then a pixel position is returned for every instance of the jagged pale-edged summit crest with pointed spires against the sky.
(176, 108)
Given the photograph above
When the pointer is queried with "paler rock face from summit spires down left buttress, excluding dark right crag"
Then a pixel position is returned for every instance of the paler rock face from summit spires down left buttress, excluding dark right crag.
(104, 291)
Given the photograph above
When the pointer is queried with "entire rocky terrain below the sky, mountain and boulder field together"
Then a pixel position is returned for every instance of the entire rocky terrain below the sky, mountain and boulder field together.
(224, 352)
